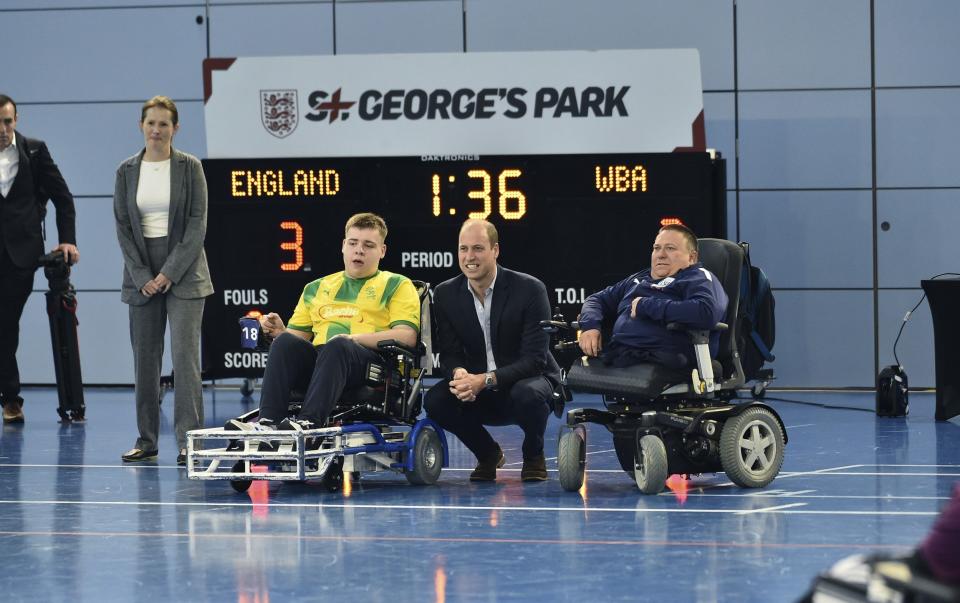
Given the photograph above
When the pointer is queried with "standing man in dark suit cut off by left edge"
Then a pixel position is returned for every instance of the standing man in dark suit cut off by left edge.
(28, 178)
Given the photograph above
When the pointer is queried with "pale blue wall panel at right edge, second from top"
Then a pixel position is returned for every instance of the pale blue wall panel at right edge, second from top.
(917, 133)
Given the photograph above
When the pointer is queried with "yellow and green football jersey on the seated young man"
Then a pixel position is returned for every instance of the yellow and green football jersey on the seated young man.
(337, 304)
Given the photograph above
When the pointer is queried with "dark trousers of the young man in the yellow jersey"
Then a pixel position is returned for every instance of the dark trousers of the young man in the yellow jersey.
(324, 372)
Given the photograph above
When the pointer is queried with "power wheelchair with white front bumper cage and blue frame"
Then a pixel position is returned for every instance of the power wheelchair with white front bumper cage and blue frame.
(374, 427)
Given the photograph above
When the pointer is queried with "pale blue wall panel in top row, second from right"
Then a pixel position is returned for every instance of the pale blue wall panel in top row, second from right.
(809, 44)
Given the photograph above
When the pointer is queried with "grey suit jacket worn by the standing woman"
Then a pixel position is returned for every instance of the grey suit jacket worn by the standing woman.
(186, 264)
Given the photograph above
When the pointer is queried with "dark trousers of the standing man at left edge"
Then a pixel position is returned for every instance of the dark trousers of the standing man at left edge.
(15, 286)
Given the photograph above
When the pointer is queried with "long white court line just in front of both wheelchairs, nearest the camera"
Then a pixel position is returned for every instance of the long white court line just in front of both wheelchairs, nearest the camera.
(381, 507)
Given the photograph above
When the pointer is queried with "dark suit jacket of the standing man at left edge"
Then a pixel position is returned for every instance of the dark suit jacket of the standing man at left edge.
(21, 211)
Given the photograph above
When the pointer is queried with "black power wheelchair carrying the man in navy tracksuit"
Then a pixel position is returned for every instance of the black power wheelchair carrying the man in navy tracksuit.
(669, 422)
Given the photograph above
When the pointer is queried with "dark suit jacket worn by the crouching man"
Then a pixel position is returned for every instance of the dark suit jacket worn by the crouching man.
(520, 346)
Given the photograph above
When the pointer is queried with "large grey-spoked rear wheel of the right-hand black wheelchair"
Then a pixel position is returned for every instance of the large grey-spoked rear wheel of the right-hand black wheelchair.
(751, 448)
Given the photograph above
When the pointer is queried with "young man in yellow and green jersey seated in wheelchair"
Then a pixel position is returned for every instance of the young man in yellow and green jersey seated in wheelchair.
(333, 333)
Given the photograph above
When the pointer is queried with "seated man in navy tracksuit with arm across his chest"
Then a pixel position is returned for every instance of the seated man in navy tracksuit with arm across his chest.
(676, 288)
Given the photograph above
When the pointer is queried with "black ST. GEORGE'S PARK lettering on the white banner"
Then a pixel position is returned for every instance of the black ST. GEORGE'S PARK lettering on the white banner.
(466, 103)
